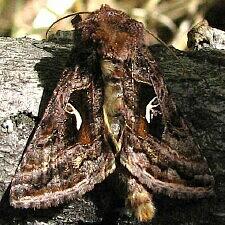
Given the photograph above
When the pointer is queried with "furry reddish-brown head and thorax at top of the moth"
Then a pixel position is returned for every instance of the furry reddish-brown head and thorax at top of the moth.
(113, 32)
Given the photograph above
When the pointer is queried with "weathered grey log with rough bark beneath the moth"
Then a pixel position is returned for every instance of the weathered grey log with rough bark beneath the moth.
(29, 71)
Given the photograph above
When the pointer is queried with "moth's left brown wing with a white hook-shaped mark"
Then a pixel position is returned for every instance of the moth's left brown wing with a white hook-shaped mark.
(63, 161)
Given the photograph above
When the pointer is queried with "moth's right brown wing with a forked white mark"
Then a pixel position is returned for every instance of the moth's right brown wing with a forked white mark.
(158, 148)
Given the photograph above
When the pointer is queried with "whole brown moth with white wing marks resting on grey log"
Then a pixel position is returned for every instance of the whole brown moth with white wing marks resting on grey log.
(111, 113)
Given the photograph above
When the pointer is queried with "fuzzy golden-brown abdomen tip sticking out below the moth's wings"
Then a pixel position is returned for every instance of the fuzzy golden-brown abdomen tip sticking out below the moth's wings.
(139, 201)
